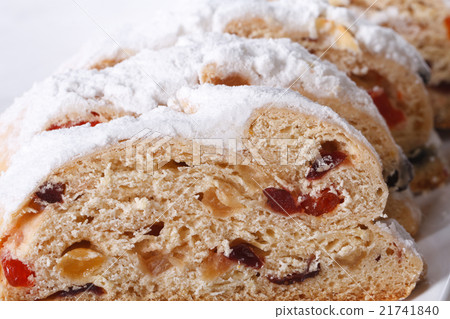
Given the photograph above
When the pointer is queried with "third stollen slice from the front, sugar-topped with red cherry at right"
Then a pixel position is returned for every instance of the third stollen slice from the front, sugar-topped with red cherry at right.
(376, 58)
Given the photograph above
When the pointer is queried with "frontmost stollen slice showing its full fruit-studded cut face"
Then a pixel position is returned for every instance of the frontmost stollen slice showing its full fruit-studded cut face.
(256, 193)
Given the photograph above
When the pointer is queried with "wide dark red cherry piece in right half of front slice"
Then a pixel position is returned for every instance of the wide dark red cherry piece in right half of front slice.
(281, 201)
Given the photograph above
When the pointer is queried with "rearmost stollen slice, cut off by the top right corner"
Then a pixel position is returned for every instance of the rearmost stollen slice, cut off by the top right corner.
(426, 25)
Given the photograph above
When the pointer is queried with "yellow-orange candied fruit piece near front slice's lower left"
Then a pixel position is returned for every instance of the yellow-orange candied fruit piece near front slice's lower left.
(80, 263)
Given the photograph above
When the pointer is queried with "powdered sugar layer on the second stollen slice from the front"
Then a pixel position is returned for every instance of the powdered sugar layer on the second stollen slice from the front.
(140, 84)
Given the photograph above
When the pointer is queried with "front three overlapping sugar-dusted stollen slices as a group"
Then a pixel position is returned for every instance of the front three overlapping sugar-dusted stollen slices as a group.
(250, 150)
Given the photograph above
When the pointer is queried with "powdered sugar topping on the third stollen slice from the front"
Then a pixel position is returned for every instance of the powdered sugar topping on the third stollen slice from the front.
(292, 15)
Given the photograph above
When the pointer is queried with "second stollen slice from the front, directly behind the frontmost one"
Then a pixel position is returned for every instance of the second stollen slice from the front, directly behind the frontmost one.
(151, 77)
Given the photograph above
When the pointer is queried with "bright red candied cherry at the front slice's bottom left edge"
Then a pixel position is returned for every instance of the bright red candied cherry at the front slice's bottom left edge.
(17, 273)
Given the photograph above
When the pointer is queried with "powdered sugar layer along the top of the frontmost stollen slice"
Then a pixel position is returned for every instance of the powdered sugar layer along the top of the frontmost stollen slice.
(221, 112)
